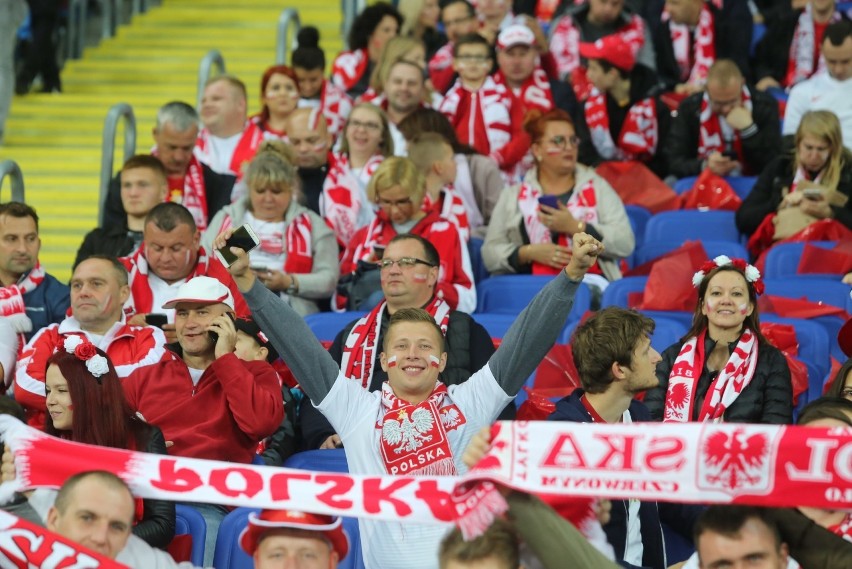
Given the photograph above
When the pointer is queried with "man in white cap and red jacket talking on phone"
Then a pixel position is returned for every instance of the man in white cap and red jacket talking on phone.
(208, 402)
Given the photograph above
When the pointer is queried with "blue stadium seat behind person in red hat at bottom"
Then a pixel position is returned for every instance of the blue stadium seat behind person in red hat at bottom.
(229, 554)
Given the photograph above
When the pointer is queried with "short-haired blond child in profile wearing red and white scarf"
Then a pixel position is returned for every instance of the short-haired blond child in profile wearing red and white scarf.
(434, 157)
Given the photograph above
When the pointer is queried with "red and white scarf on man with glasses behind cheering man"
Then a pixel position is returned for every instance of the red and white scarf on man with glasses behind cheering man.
(359, 351)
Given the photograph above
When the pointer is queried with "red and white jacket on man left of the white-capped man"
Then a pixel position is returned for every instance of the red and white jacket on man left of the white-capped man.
(128, 347)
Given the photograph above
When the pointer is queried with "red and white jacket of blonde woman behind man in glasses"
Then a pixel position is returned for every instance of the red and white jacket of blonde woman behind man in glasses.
(455, 277)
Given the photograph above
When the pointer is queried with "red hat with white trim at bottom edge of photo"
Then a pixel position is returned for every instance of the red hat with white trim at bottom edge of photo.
(326, 527)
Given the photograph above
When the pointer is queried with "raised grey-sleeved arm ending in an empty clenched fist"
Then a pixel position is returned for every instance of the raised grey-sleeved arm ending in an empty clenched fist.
(535, 330)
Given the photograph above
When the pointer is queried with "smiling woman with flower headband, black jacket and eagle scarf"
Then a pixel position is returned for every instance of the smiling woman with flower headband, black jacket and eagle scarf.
(724, 369)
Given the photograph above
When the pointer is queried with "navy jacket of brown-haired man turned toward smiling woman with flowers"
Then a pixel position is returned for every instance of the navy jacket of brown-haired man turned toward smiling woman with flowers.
(678, 516)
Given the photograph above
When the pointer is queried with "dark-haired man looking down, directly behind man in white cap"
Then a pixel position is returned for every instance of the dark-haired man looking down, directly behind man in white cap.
(170, 255)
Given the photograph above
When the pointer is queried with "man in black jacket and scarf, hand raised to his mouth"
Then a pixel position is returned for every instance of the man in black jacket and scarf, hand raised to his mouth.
(729, 128)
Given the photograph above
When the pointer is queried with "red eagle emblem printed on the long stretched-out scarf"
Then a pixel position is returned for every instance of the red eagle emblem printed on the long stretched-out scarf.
(735, 461)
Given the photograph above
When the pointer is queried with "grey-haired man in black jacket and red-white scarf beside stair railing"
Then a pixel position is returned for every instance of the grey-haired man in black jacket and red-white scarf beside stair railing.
(190, 182)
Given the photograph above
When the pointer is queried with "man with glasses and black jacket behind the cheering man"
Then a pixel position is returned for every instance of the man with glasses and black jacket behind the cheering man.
(408, 282)
